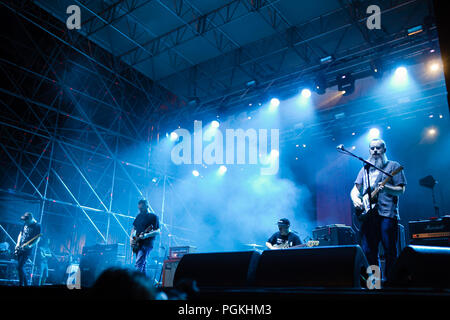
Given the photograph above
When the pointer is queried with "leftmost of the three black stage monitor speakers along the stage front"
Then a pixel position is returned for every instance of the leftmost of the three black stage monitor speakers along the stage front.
(222, 269)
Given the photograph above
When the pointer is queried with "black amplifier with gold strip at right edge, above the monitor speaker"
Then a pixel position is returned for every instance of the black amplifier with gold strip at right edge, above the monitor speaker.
(432, 232)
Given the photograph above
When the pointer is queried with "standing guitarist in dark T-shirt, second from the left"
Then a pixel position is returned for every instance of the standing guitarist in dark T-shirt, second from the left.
(145, 220)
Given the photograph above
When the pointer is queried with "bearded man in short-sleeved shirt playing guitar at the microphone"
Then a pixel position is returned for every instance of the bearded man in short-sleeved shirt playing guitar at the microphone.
(381, 224)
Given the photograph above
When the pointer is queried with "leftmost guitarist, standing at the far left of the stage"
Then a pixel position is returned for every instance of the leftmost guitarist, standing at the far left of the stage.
(30, 230)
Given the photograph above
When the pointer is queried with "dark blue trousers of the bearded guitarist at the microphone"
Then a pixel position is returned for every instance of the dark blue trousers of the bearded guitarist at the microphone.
(375, 229)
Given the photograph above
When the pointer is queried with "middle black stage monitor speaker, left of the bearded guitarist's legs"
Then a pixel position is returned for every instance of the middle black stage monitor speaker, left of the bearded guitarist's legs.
(333, 266)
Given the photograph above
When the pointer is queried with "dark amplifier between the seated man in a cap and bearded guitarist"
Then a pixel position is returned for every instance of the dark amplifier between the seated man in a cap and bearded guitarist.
(334, 235)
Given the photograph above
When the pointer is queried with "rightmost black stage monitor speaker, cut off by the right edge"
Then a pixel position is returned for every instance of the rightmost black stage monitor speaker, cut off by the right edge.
(422, 267)
